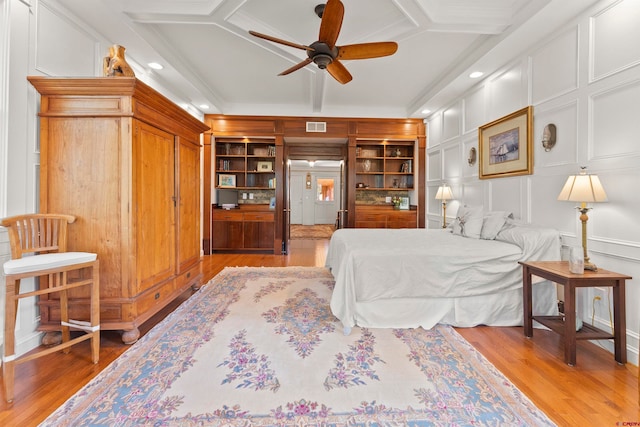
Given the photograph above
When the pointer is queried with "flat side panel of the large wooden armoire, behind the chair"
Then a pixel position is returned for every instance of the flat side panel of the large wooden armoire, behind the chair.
(80, 164)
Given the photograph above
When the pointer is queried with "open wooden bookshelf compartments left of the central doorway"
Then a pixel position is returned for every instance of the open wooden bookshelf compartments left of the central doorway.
(245, 164)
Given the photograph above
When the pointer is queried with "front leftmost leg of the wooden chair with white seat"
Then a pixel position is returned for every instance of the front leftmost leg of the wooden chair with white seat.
(8, 364)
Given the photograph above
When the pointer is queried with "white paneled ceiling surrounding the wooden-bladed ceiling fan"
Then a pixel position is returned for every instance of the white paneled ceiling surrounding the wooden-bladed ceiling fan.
(210, 58)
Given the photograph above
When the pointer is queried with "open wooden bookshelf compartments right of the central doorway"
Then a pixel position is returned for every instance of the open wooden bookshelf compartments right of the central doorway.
(382, 165)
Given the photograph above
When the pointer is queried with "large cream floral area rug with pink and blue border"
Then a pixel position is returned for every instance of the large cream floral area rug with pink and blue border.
(260, 347)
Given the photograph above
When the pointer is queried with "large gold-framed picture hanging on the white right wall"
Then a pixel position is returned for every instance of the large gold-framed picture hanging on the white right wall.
(505, 145)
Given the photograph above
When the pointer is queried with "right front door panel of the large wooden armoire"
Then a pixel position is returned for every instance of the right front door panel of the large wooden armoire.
(188, 221)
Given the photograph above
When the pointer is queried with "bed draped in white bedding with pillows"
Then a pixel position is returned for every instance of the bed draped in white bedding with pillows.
(406, 278)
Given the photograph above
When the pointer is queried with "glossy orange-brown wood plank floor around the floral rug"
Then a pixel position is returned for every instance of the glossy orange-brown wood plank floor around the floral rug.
(597, 392)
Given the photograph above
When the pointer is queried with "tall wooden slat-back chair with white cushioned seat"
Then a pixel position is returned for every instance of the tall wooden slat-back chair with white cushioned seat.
(44, 236)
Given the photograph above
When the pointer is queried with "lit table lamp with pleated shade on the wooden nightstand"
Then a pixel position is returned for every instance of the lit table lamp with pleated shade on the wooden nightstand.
(583, 188)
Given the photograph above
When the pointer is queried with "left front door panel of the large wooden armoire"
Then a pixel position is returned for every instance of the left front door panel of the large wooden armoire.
(154, 204)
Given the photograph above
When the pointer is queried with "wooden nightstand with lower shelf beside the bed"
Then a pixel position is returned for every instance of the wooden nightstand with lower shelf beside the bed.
(558, 271)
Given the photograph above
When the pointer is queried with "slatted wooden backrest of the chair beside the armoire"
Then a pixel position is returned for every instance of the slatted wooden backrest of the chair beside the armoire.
(37, 233)
